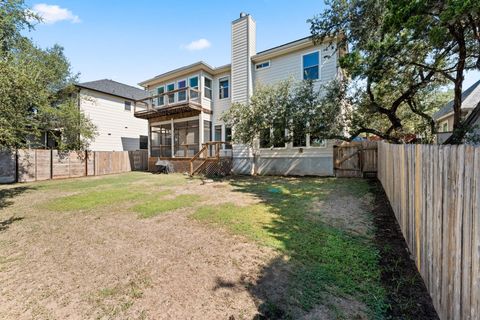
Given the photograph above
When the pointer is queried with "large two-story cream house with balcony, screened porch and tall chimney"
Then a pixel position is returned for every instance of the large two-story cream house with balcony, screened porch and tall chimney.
(186, 104)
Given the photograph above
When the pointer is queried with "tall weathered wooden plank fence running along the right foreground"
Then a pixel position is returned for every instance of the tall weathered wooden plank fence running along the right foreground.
(435, 194)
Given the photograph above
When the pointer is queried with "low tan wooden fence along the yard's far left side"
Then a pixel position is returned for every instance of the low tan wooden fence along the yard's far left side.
(38, 164)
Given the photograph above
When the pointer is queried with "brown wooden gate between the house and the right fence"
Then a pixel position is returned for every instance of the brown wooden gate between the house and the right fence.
(355, 159)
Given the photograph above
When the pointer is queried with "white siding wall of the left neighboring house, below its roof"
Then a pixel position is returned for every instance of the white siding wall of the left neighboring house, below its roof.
(118, 130)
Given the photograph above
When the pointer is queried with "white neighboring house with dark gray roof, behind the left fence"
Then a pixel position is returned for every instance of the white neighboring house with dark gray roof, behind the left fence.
(110, 106)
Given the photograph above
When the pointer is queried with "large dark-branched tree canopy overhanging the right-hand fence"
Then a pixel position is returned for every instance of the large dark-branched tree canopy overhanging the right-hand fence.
(399, 54)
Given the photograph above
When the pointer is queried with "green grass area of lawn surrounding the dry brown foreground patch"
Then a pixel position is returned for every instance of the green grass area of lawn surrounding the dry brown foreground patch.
(323, 258)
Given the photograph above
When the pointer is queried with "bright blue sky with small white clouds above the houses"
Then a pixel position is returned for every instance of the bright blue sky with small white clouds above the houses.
(131, 41)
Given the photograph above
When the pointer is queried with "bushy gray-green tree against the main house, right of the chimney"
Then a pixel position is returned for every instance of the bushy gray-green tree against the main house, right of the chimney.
(295, 107)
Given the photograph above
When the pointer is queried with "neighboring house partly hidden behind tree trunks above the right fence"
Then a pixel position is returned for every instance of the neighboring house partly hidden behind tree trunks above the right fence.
(444, 117)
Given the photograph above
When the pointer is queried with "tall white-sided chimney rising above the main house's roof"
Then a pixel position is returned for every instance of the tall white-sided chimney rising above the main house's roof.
(243, 48)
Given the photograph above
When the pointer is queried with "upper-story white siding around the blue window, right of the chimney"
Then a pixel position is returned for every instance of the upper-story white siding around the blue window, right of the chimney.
(290, 66)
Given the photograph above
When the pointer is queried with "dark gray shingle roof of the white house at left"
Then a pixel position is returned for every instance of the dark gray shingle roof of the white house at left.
(115, 88)
